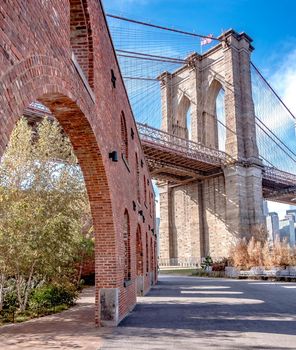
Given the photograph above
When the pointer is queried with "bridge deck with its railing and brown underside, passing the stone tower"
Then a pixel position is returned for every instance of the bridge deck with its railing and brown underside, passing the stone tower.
(179, 160)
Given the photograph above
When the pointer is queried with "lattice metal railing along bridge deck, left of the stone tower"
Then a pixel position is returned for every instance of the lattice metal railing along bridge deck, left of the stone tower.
(189, 148)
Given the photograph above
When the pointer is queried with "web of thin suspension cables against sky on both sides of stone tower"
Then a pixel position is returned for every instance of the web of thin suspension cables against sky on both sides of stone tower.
(146, 50)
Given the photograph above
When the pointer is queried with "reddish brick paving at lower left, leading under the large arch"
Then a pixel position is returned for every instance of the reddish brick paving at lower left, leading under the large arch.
(71, 329)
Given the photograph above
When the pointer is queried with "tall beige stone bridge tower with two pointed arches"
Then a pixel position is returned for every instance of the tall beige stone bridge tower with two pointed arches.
(209, 213)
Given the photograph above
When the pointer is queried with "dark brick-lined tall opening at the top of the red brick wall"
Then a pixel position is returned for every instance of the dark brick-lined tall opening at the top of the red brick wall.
(81, 37)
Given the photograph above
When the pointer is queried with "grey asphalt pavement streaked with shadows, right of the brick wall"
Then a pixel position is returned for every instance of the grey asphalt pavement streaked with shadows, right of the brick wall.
(202, 313)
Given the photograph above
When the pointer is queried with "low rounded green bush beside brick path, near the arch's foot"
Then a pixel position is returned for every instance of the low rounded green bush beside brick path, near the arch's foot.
(52, 295)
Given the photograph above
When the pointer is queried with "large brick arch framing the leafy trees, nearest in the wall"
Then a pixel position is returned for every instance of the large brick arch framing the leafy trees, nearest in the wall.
(53, 86)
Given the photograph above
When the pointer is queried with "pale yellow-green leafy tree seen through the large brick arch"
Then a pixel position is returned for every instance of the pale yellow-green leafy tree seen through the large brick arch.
(43, 204)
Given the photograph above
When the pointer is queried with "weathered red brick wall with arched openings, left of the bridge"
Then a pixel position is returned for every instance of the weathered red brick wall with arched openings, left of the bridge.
(37, 39)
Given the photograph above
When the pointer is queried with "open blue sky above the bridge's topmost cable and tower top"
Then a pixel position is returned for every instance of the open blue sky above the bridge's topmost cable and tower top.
(271, 24)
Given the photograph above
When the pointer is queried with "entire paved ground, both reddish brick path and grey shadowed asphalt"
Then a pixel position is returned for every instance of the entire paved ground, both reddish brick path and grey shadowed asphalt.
(180, 313)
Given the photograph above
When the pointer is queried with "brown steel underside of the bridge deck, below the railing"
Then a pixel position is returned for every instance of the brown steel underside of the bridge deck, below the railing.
(168, 164)
